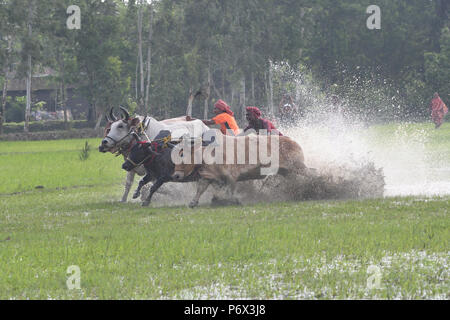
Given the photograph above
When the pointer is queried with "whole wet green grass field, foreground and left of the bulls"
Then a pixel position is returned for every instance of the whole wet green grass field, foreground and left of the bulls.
(295, 250)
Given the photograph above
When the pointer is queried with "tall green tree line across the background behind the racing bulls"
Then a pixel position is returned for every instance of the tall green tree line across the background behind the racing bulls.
(150, 56)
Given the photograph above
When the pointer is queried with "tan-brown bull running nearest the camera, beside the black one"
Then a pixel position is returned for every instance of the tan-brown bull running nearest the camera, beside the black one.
(252, 157)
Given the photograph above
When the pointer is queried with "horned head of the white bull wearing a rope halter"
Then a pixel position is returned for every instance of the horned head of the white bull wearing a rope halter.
(117, 131)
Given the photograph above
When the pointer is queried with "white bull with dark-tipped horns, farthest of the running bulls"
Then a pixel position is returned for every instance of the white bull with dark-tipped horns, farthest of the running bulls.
(118, 136)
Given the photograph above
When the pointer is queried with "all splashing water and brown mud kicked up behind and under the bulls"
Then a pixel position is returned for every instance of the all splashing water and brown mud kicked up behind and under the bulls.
(352, 159)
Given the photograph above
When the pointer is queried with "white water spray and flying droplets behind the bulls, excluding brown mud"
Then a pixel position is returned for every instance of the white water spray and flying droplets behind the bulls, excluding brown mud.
(337, 140)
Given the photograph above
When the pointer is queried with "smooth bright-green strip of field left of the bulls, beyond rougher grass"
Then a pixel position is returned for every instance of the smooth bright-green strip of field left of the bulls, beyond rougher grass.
(55, 164)
